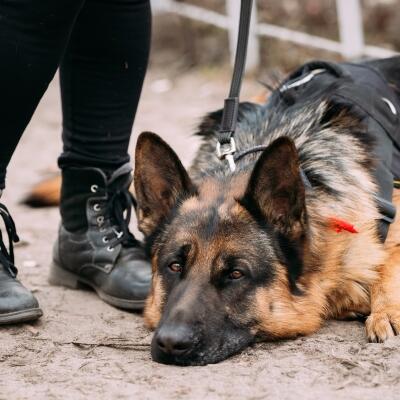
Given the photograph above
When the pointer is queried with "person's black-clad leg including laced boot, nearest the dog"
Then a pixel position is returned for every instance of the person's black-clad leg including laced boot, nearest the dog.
(101, 80)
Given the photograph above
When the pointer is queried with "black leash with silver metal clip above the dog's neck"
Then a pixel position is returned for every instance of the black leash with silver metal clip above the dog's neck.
(226, 146)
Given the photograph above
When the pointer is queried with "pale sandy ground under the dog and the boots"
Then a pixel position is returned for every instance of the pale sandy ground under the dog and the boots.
(82, 348)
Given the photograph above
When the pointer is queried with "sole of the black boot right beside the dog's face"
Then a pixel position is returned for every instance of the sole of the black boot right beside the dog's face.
(60, 277)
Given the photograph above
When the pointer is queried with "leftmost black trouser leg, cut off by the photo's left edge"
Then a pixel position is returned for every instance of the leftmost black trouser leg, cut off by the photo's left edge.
(33, 37)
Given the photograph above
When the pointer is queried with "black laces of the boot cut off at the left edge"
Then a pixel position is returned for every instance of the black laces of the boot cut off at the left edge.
(7, 256)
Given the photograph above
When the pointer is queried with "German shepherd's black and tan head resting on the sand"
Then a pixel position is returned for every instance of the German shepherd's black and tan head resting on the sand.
(226, 253)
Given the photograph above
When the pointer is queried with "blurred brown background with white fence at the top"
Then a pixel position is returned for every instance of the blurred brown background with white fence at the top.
(196, 33)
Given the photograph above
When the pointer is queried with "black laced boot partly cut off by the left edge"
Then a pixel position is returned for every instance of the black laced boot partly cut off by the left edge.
(17, 304)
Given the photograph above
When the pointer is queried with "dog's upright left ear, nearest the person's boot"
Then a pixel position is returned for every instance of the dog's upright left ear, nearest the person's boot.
(160, 180)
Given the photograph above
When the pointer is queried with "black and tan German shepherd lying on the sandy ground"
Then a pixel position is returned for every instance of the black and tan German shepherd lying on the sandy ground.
(255, 254)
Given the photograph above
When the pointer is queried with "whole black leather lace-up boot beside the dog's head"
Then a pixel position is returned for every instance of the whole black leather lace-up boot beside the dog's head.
(95, 246)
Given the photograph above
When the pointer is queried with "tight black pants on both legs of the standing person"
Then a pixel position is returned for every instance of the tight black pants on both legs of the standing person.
(102, 49)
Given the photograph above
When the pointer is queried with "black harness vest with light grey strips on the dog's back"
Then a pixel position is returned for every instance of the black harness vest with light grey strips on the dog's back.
(367, 90)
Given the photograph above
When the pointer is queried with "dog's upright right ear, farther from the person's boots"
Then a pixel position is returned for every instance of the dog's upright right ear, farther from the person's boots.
(276, 189)
